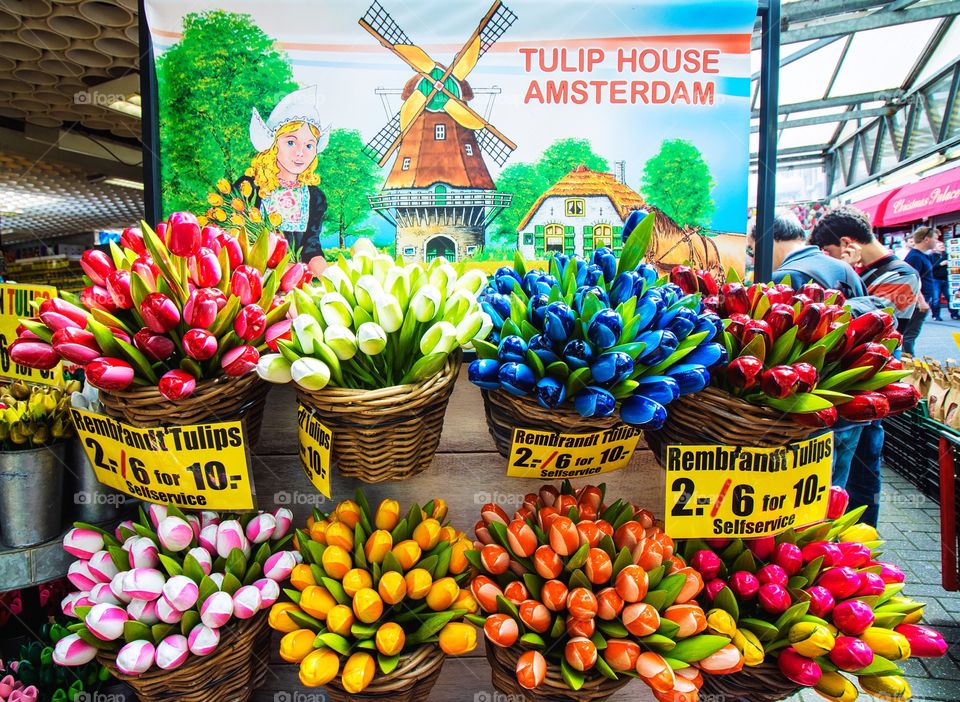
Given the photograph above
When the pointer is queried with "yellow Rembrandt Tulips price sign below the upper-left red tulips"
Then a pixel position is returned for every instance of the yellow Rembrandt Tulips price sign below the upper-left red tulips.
(196, 466)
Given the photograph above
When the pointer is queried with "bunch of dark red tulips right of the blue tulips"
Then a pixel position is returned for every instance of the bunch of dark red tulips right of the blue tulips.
(799, 351)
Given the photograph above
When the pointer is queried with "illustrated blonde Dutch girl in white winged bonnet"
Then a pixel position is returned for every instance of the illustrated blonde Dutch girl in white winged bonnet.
(284, 178)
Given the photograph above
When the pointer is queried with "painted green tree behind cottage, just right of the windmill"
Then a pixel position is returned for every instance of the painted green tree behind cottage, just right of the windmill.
(527, 181)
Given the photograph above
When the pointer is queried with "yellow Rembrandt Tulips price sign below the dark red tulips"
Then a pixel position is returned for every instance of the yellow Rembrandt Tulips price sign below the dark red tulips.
(733, 491)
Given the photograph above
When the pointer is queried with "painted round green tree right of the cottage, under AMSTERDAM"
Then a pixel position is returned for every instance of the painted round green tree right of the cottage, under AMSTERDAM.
(678, 181)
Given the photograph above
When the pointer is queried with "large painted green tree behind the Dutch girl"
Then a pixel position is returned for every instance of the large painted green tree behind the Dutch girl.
(208, 84)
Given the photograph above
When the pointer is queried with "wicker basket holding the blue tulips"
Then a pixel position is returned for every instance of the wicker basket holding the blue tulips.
(506, 412)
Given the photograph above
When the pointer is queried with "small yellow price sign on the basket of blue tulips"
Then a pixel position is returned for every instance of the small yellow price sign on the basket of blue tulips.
(548, 455)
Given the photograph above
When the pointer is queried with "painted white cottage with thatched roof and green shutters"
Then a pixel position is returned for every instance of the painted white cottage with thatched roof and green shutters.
(582, 211)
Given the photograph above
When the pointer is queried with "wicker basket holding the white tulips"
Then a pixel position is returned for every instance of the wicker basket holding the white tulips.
(386, 434)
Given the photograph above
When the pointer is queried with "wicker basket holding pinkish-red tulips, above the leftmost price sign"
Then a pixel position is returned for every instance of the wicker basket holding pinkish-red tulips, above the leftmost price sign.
(220, 399)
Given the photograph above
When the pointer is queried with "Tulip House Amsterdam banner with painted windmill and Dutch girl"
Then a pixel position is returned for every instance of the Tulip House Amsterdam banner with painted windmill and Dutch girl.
(461, 129)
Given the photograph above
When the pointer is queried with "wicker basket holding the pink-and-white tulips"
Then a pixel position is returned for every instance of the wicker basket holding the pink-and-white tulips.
(229, 674)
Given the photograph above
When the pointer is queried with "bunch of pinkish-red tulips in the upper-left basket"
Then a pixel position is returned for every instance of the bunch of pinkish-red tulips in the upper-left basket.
(169, 309)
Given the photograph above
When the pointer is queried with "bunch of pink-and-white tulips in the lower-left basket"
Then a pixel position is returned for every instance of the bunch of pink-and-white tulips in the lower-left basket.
(164, 587)
